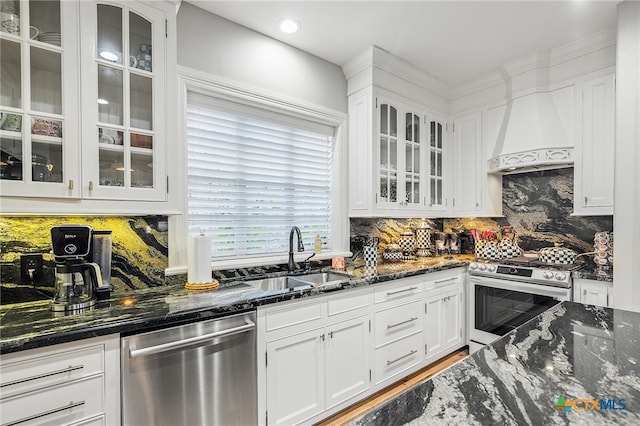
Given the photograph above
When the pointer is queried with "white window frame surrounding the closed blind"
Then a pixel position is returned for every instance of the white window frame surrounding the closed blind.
(190, 80)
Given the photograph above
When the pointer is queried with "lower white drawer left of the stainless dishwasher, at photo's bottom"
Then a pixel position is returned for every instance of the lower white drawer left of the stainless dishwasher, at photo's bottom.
(64, 404)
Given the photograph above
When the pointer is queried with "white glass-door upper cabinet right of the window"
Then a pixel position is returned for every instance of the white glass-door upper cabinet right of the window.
(405, 171)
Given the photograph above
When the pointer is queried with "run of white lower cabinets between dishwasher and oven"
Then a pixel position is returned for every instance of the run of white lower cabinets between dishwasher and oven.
(325, 353)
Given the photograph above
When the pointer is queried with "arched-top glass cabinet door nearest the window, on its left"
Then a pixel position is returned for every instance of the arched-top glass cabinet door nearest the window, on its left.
(126, 54)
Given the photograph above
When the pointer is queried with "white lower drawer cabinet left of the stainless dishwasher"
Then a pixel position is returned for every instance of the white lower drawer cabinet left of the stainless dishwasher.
(68, 384)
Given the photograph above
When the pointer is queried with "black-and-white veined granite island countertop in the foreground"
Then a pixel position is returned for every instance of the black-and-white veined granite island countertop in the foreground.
(571, 354)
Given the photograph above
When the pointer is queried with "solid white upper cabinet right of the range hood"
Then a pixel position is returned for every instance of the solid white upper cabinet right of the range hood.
(595, 150)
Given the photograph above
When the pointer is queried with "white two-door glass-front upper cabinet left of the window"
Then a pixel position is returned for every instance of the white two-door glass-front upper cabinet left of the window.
(81, 100)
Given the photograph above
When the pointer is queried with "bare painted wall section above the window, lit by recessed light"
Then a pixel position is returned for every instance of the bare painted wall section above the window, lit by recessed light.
(214, 45)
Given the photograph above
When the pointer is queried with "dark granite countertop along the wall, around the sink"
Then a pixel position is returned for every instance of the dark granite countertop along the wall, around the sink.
(31, 325)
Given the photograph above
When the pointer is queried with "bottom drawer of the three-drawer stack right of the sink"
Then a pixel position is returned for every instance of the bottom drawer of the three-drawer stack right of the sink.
(395, 358)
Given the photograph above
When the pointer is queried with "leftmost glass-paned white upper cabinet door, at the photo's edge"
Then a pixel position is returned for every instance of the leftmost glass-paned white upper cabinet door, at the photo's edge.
(39, 99)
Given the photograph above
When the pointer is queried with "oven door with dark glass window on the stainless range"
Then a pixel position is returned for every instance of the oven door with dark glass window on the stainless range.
(497, 306)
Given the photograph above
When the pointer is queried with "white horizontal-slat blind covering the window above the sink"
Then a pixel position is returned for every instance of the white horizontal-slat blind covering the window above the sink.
(254, 174)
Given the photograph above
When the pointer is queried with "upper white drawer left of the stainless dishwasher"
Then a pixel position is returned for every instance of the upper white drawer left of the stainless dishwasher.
(50, 369)
